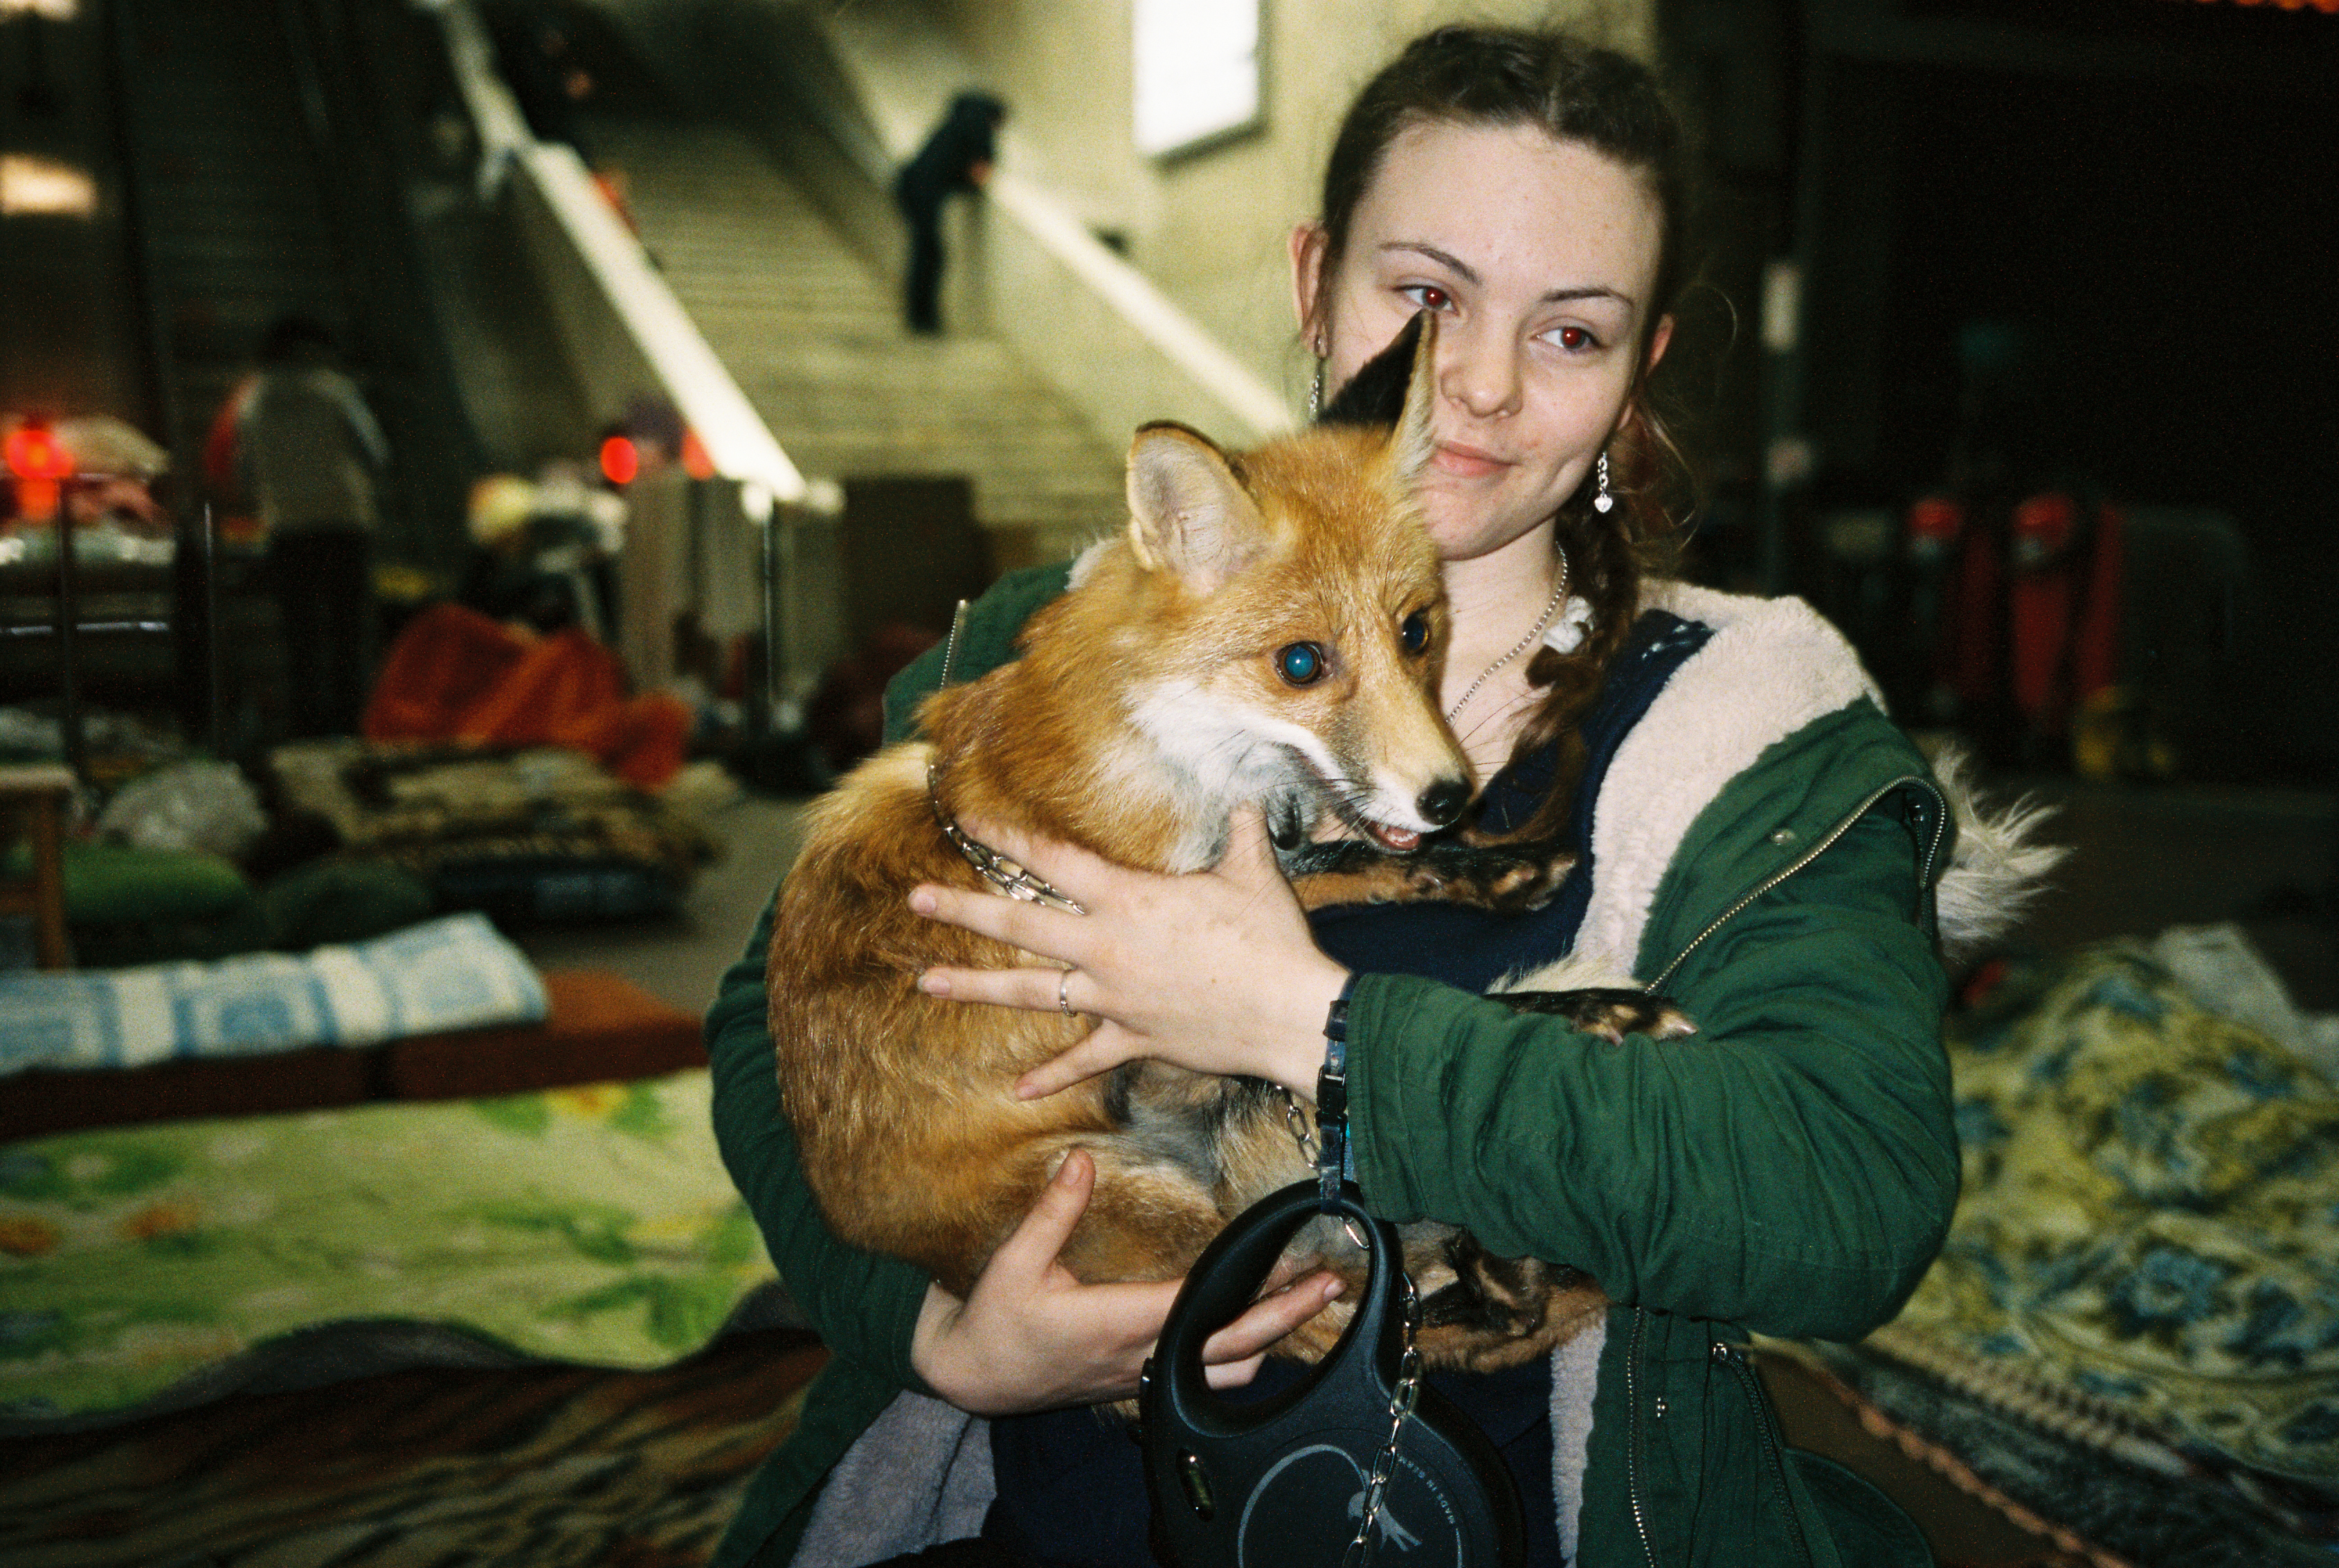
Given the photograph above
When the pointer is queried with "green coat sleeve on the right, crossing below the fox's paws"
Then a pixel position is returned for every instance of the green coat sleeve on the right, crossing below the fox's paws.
(1791, 1169)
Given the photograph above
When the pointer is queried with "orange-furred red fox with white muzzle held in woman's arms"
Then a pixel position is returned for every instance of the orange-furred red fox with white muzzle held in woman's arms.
(1269, 631)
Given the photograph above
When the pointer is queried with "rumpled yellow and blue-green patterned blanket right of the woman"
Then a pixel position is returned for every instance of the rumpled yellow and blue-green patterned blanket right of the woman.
(2148, 1242)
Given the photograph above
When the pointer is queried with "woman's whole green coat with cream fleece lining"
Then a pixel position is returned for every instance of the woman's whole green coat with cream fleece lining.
(1769, 855)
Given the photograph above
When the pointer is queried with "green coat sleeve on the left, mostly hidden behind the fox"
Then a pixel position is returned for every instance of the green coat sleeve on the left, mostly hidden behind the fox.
(862, 1305)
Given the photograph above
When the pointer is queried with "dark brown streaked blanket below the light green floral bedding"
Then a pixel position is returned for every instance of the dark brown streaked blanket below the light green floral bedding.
(532, 1466)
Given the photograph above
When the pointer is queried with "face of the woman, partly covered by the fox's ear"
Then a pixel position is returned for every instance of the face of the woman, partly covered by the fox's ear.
(1540, 259)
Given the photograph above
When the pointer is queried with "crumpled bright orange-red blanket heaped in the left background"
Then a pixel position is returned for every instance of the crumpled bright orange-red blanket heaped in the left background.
(457, 675)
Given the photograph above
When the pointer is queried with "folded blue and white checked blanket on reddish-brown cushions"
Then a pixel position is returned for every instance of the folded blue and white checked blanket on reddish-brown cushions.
(443, 975)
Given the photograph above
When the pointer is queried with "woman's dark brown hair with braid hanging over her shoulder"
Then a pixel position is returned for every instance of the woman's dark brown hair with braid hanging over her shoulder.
(1613, 104)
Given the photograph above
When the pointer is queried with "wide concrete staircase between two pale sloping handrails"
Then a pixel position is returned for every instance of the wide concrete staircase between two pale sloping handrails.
(815, 343)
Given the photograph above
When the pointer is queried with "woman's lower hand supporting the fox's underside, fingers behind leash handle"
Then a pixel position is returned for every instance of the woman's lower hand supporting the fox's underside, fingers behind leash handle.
(1033, 1337)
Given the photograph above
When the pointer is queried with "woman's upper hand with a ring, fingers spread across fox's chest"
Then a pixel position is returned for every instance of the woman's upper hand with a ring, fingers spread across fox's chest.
(1213, 972)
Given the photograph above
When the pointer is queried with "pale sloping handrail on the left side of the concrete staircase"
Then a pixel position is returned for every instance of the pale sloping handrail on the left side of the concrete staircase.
(689, 371)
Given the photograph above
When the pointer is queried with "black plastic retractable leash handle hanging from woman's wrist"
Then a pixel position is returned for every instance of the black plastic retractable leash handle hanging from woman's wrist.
(1285, 1480)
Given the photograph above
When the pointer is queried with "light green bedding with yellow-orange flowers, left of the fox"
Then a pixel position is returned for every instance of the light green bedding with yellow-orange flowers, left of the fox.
(588, 1225)
